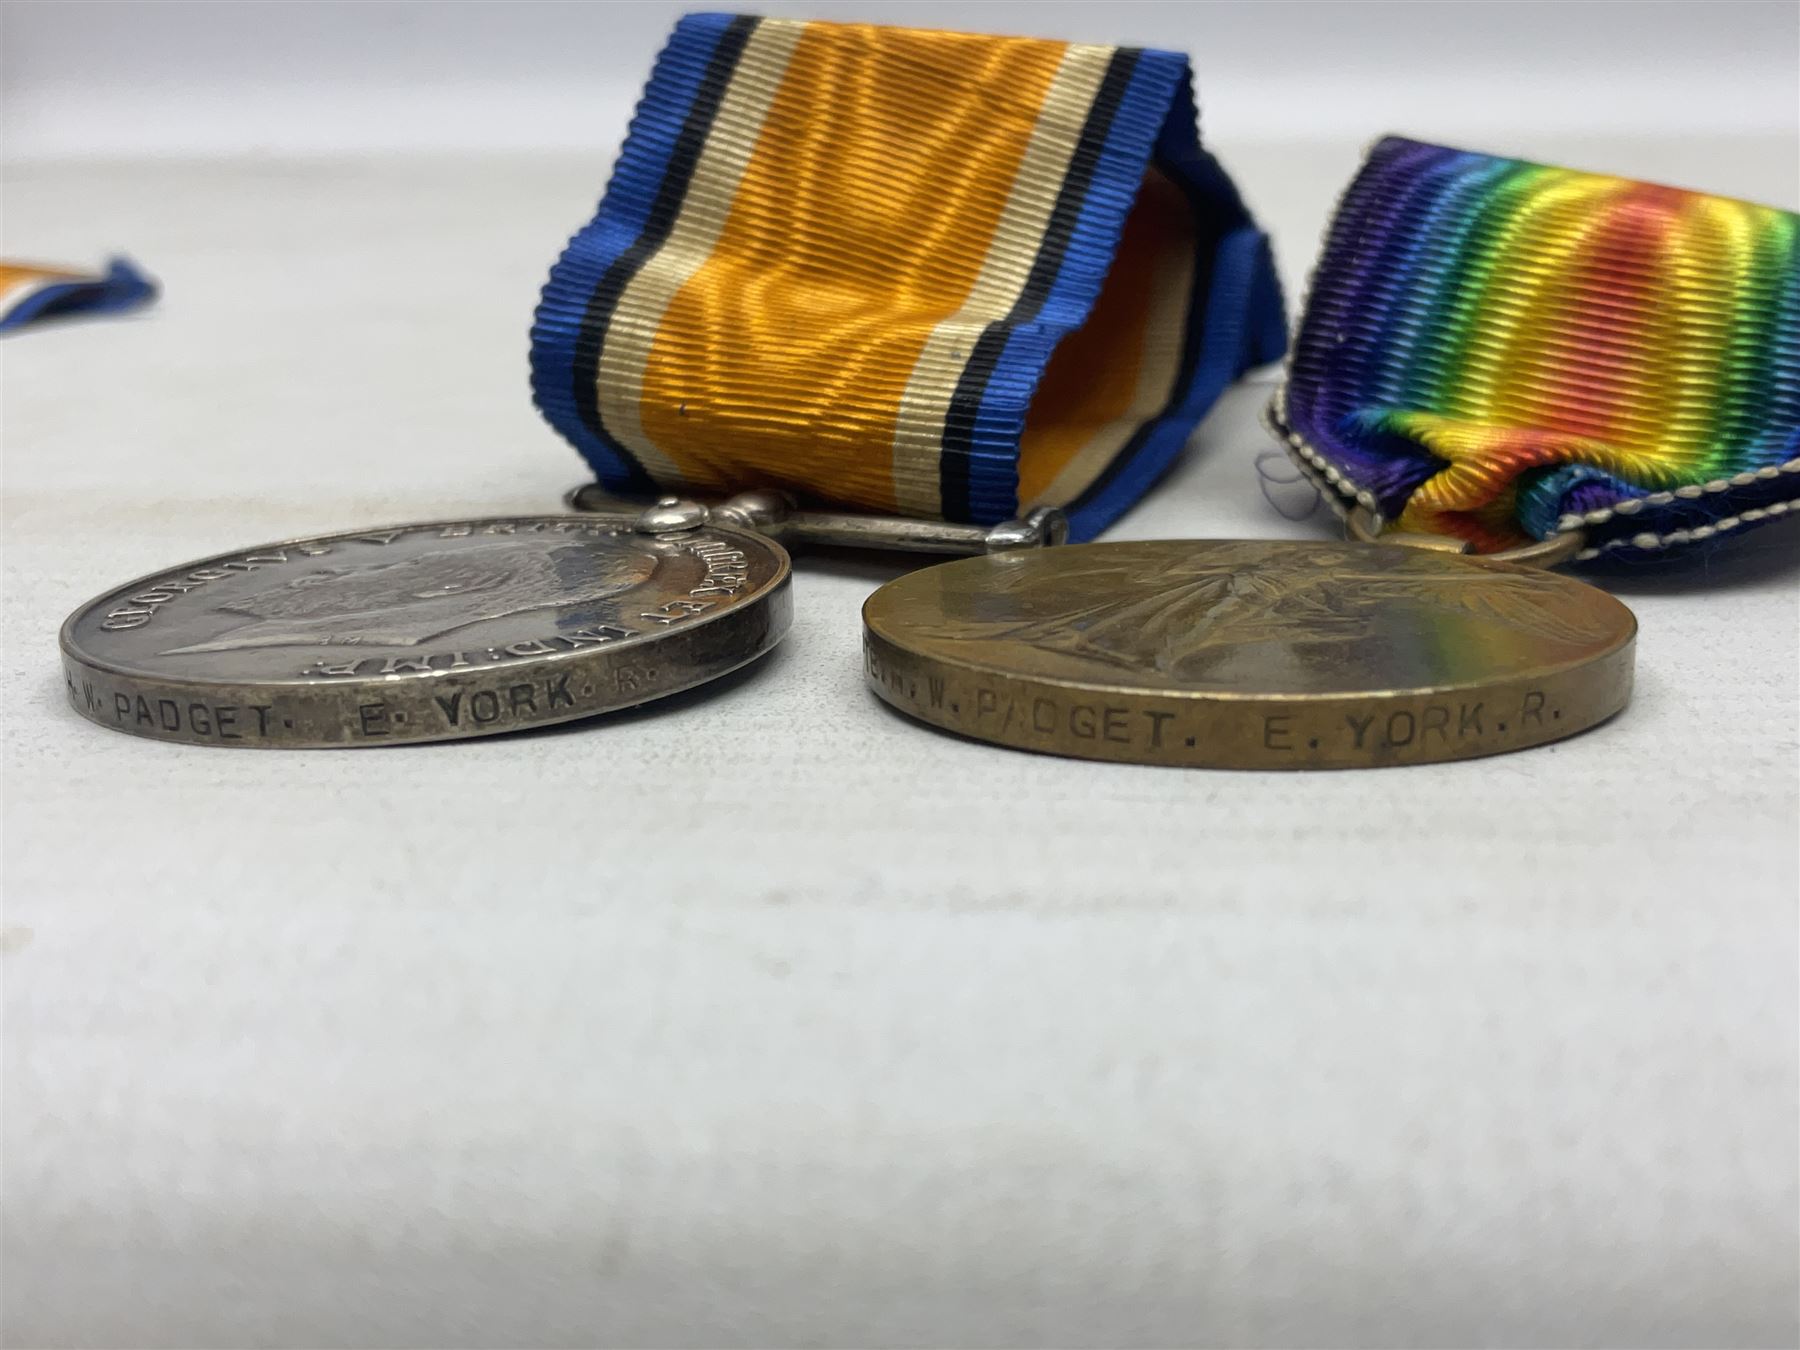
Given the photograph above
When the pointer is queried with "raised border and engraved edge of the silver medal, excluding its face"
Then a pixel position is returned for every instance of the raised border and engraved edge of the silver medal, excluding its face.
(336, 714)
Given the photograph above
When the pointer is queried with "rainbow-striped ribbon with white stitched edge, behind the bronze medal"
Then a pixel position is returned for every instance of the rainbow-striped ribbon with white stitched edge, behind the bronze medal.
(1506, 352)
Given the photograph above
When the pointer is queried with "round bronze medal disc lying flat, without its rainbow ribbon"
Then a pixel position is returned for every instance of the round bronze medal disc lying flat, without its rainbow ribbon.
(1250, 654)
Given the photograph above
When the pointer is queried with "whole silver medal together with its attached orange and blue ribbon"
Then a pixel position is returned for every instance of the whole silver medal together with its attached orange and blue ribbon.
(868, 274)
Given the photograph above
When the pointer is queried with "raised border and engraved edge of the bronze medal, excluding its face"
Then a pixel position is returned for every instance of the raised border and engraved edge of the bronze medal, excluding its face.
(1246, 728)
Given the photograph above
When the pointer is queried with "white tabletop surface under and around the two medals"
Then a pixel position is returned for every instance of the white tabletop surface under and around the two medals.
(769, 1018)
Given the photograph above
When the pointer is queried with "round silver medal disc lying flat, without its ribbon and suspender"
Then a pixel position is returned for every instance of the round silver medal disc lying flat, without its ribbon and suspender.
(424, 633)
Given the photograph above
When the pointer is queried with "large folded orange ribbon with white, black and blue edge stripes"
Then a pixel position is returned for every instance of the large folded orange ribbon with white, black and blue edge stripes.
(912, 273)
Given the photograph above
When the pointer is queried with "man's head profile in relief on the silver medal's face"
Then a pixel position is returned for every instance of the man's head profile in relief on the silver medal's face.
(413, 600)
